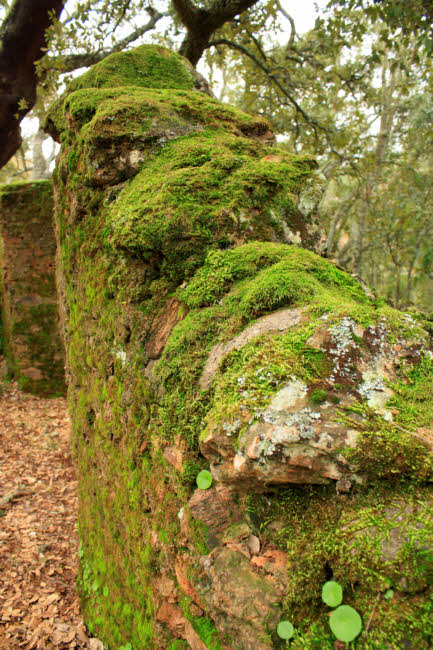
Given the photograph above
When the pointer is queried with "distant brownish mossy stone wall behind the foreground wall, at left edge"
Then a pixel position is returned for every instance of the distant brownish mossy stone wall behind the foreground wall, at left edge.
(31, 340)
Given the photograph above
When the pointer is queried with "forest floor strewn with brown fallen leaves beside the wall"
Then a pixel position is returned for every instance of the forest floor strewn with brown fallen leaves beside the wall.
(38, 532)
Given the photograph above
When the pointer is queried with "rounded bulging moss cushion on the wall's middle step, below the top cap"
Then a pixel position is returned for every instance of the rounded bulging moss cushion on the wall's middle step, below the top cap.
(203, 191)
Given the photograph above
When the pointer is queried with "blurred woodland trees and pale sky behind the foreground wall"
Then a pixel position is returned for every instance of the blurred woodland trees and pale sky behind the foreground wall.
(353, 92)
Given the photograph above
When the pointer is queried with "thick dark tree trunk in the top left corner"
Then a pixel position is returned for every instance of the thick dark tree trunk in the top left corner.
(22, 39)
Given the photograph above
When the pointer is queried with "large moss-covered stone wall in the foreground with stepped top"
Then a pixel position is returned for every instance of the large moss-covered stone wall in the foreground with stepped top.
(204, 331)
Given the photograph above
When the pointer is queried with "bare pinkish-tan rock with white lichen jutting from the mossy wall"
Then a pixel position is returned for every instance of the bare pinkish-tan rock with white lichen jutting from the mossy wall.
(297, 436)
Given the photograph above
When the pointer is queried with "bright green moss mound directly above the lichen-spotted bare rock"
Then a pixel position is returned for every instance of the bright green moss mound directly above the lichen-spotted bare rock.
(229, 291)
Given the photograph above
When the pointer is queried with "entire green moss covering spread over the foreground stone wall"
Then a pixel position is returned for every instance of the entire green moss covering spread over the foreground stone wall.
(183, 228)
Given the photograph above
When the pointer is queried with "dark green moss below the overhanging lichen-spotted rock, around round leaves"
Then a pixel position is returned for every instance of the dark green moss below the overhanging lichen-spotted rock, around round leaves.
(326, 537)
